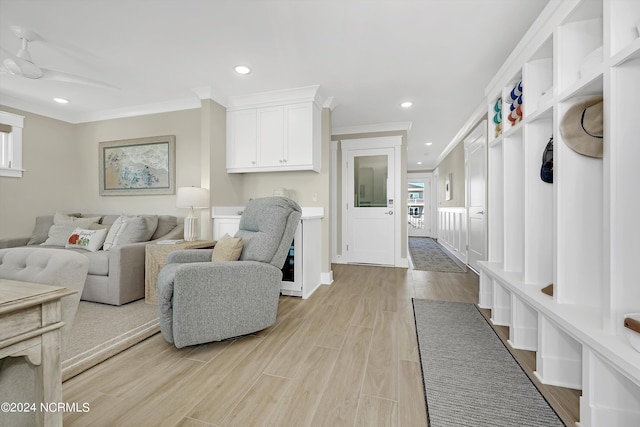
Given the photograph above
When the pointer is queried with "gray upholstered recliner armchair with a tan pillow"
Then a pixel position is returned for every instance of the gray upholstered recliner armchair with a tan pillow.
(201, 301)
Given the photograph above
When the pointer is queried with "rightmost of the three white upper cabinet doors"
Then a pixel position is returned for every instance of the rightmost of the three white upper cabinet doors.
(298, 144)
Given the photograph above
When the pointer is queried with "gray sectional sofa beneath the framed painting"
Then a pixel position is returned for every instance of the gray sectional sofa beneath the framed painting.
(116, 275)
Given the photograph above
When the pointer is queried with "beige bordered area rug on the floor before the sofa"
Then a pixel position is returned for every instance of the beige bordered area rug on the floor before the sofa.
(100, 331)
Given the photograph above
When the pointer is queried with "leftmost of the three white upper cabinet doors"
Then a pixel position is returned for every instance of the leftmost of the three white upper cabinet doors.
(241, 139)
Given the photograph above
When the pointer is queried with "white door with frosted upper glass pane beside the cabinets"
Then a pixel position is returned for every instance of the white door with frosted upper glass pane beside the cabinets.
(371, 205)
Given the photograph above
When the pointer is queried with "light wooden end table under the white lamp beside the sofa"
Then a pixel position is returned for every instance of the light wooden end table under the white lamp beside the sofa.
(156, 257)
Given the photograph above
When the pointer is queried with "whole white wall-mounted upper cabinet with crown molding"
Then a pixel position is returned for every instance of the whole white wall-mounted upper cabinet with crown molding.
(275, 131)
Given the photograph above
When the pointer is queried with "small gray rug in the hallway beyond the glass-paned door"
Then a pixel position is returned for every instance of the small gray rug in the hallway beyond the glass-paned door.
(428, 255)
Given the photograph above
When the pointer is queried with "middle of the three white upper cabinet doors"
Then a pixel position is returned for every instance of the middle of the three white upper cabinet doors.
(270, 136)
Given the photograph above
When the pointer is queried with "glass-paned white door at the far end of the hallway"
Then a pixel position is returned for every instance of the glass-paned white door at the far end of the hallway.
(418, 205)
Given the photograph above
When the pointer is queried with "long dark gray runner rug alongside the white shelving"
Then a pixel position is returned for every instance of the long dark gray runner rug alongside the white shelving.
(470, 377)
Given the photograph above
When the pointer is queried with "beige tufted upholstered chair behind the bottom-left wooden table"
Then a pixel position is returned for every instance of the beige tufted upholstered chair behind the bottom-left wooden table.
(55, 267)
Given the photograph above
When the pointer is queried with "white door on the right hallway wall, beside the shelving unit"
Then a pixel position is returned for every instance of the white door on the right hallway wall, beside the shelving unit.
(476, 196)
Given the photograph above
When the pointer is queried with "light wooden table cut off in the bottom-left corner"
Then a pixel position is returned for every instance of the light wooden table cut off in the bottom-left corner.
(30, 322)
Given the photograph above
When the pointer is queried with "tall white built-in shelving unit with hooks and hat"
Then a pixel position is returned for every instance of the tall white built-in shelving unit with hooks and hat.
(580, 233)
